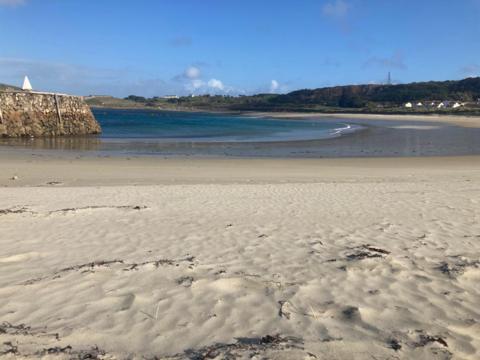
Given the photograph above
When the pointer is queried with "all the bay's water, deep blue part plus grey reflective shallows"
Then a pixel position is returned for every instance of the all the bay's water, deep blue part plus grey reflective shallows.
(139, 132)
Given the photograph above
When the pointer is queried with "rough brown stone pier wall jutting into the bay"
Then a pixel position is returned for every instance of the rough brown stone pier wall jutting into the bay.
(45, 114)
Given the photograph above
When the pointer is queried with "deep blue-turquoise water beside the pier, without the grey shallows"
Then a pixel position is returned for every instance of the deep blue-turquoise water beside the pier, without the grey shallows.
(175, 127)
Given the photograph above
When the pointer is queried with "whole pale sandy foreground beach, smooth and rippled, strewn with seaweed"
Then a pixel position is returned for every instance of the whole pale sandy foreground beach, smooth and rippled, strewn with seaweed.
(232, 258)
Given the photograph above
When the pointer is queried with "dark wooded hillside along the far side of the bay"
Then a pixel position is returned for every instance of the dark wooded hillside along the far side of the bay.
(358, 98)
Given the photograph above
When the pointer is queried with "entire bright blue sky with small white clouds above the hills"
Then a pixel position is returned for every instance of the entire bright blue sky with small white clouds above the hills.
(160, 47)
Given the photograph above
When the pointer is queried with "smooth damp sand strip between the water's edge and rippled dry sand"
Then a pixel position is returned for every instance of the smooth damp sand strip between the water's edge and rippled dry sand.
(72, 170)
